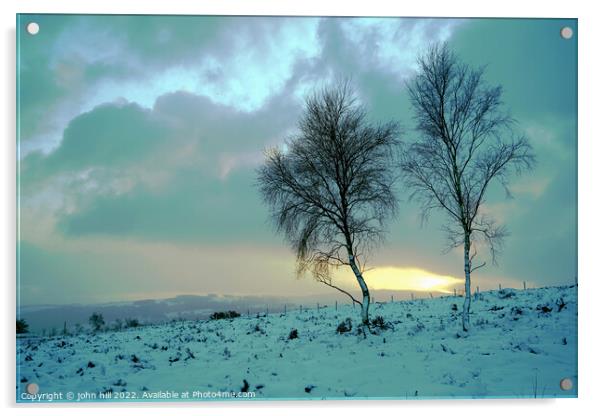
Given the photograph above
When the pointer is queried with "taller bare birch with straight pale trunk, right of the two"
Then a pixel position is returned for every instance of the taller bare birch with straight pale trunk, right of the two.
(467, 141)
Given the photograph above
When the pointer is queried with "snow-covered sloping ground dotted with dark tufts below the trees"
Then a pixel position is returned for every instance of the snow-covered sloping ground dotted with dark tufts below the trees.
(522, 343)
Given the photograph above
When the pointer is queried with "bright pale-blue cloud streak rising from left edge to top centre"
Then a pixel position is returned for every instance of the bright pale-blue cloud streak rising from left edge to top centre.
(258, 62)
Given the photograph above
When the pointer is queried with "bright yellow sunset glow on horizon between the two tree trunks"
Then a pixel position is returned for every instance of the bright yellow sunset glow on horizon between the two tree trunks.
(409, 278)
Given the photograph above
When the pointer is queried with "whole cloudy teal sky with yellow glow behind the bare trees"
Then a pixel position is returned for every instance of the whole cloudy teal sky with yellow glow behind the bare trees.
(139, 139)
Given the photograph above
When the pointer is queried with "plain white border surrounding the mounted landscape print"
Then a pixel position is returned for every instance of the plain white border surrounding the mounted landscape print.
(590, 137)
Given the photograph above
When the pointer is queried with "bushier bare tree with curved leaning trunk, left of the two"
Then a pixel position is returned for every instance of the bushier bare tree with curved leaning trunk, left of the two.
(330, 189)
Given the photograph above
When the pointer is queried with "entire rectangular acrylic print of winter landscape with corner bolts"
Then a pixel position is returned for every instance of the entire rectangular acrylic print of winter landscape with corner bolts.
(292, 208)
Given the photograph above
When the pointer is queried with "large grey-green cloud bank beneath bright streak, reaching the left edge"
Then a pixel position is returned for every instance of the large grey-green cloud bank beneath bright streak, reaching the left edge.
(180, 171)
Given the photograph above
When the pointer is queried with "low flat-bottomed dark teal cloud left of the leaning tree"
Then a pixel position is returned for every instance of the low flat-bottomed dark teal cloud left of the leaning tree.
(192, 208)
